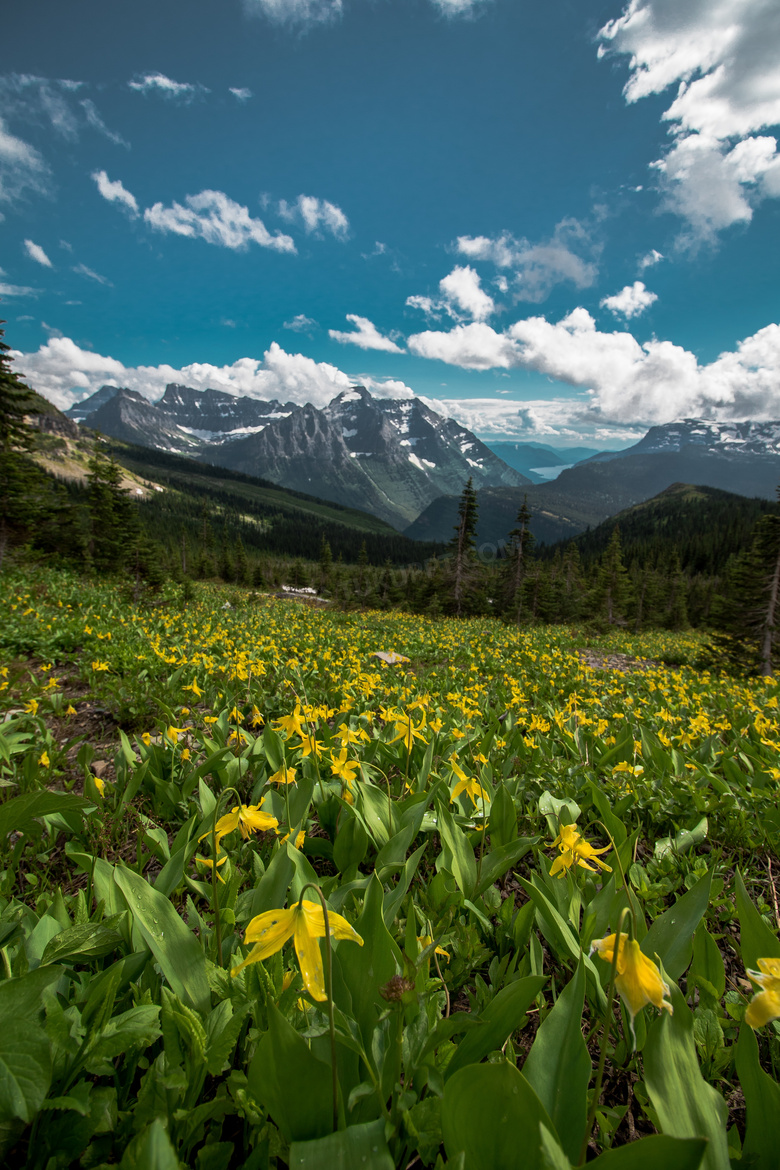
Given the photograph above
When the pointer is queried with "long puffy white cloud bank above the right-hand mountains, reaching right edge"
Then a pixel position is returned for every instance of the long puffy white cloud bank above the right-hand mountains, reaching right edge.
(627, 382)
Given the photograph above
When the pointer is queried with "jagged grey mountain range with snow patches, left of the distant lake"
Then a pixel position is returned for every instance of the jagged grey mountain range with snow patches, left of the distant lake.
(389, 457)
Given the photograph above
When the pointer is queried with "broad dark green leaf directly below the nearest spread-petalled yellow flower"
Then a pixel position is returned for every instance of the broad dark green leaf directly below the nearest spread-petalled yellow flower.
(291, 1083)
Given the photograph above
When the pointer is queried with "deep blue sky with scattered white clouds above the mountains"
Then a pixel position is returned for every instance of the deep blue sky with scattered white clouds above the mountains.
(557, 222)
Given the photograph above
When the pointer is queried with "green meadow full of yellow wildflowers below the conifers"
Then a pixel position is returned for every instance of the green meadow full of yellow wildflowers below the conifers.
(289, 887)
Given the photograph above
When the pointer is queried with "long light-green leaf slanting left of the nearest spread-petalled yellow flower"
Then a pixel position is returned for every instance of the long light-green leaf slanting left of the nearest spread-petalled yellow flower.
(172, 944)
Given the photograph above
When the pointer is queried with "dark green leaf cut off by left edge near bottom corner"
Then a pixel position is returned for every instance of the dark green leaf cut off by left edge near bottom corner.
(25, 1050)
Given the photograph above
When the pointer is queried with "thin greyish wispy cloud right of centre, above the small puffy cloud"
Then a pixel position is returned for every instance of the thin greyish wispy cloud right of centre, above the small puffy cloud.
(569, 257)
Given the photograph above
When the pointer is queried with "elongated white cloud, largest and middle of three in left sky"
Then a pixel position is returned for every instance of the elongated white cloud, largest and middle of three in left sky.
(213, 217)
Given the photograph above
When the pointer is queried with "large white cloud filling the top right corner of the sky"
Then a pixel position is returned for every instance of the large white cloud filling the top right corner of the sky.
(722, 56)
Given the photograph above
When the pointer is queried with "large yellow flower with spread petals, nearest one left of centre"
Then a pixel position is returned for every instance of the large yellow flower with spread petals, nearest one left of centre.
(305, 923)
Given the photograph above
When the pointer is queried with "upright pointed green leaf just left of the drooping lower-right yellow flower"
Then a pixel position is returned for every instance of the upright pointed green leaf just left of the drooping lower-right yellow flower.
(558, 1066)
